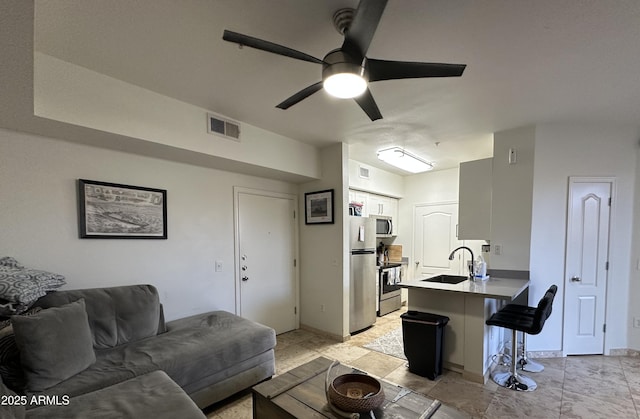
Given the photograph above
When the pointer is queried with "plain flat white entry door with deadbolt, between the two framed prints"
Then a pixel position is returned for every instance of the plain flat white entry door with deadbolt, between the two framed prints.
(266, 258)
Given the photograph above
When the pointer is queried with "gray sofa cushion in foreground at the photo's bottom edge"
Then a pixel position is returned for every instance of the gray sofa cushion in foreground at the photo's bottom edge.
(151, 395)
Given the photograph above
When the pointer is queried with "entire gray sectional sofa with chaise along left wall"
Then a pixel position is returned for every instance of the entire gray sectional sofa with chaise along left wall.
(109, 350)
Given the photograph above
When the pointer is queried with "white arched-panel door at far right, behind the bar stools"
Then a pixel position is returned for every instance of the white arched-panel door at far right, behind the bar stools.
(586, 268)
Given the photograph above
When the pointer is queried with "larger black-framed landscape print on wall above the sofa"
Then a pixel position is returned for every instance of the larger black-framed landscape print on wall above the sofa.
(113, 211)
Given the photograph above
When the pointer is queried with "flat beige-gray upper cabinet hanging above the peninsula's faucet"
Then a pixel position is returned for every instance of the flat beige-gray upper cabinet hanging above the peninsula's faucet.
(474, 201)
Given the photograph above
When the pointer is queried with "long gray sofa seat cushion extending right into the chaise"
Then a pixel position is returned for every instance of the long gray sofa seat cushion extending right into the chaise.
(193, 350)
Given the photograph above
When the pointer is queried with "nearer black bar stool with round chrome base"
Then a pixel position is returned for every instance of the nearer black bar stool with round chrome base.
(530, 322)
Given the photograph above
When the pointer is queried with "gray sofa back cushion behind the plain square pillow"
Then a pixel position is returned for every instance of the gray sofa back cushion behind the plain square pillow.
(117, 315)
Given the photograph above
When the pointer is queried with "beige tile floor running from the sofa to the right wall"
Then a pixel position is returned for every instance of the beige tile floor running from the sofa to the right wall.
(572, 387)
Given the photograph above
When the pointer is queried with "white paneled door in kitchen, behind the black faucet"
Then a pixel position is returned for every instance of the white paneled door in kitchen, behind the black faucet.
(435, 236)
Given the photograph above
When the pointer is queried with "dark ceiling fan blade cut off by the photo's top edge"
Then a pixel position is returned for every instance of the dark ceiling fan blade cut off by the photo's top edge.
(360, 33)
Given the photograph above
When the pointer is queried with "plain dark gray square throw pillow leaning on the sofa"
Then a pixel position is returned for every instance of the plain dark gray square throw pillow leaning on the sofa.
(54, 344)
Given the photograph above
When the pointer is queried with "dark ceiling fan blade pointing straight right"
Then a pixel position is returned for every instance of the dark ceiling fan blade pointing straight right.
(390, 70)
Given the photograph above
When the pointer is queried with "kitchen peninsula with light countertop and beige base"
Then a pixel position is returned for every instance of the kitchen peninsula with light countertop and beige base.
(468, 342)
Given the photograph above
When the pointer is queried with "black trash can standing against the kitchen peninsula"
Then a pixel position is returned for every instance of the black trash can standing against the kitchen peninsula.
(423, 336)
